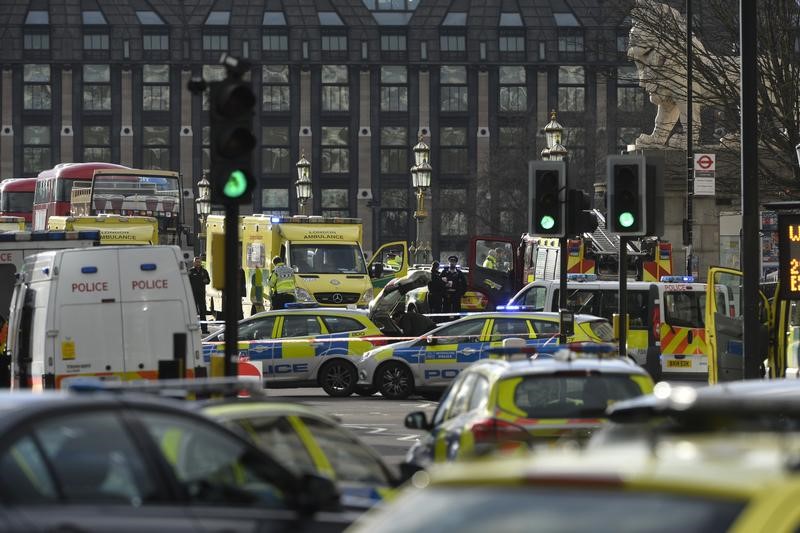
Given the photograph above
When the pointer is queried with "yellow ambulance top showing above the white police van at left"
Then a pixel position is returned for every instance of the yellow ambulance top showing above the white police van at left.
(114, 229)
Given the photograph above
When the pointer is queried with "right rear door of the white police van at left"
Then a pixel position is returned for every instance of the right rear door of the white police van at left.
(155, 306)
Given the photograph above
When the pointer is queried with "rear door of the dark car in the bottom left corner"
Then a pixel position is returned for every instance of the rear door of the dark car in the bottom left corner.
(85, 468)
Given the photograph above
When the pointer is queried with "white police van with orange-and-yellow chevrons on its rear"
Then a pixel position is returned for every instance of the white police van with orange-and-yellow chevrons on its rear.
(666, 329)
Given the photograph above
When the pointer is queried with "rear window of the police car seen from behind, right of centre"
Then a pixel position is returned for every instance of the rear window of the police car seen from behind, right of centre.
(570, 394)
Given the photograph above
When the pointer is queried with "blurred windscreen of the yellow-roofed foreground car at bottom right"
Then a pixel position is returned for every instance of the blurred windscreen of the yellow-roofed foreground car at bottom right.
(553, 510)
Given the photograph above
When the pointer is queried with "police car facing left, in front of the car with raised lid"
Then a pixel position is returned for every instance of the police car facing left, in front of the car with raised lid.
(428, 363)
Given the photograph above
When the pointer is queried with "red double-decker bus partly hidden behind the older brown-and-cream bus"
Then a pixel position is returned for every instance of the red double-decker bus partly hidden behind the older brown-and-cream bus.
(54, 189)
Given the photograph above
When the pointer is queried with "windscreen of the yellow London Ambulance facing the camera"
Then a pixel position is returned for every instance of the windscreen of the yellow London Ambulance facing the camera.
(327, 259)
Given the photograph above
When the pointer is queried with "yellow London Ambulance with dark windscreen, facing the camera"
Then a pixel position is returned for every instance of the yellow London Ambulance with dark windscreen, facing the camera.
(325, 253)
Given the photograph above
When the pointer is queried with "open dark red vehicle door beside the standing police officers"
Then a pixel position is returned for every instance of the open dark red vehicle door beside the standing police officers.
(491, 269)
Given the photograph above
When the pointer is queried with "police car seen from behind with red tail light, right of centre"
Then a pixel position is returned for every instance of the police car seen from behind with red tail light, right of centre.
(507, 405)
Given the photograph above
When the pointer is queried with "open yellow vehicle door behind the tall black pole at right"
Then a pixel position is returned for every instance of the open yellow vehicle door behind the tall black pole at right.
(724, 325)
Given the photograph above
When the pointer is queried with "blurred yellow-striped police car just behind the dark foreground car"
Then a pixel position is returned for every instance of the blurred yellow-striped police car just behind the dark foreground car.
(308, 440)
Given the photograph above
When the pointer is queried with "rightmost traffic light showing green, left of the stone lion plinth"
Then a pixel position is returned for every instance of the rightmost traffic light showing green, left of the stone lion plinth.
(627, 196)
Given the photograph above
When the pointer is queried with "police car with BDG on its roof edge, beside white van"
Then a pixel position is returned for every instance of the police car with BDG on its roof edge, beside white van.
(304, 347)
